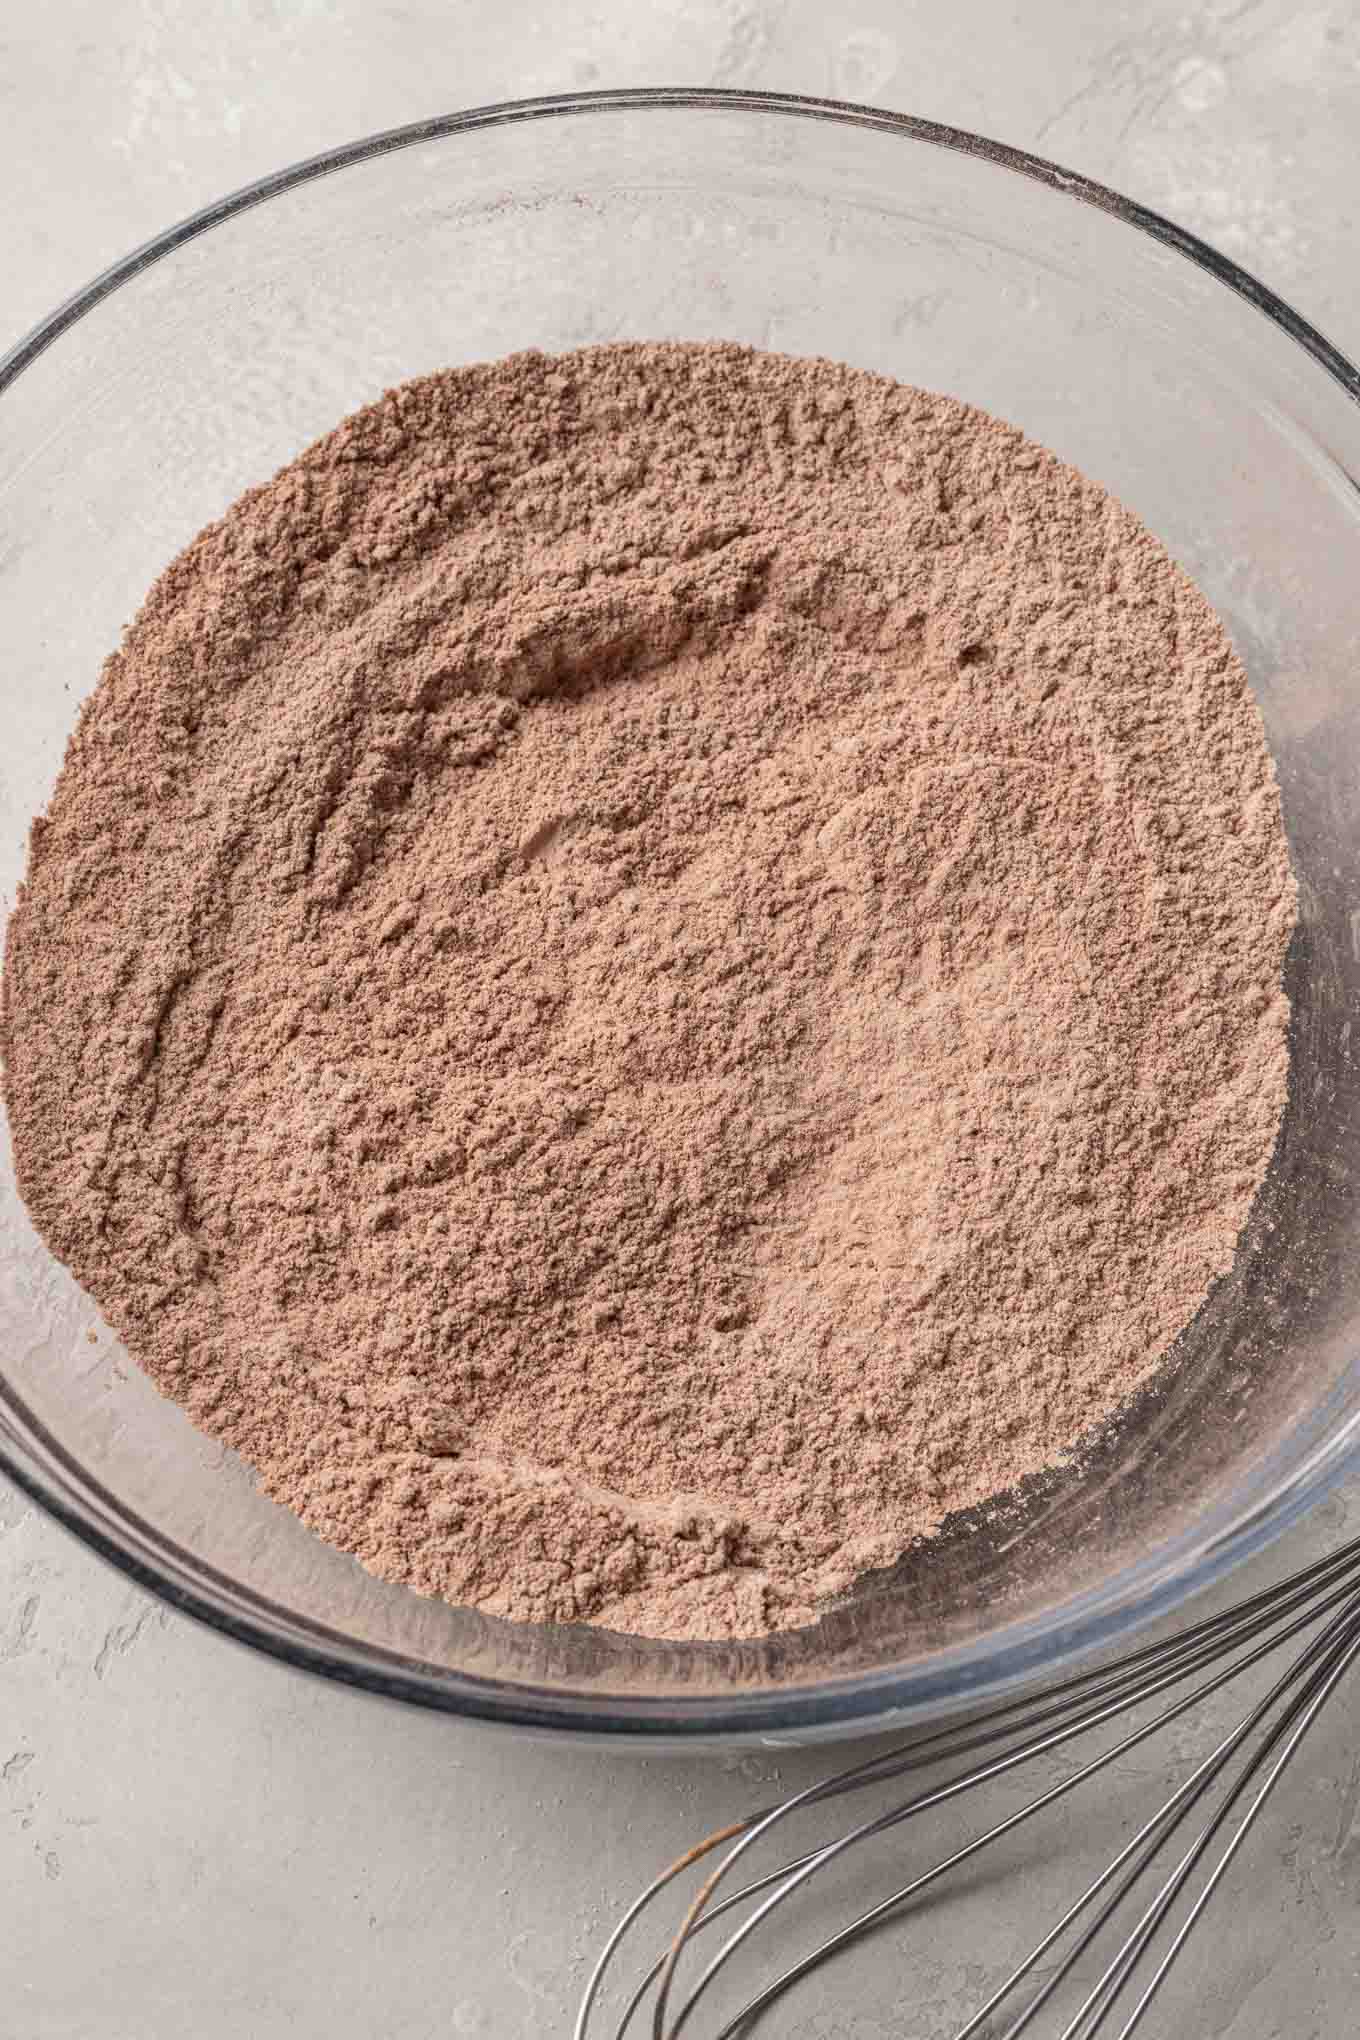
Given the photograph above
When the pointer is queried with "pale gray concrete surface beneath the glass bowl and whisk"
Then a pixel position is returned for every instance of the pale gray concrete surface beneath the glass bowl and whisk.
(199, 1843)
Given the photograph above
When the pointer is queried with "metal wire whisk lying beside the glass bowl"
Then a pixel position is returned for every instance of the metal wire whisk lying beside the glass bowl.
(1226, 1790)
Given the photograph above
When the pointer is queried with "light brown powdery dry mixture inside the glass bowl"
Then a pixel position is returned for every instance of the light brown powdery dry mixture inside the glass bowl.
(649, 972)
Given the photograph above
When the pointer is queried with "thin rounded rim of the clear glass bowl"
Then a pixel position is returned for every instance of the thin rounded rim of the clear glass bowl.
(1016, 1655)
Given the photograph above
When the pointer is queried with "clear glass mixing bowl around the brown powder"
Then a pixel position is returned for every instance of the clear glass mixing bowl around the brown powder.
(213, 356)
